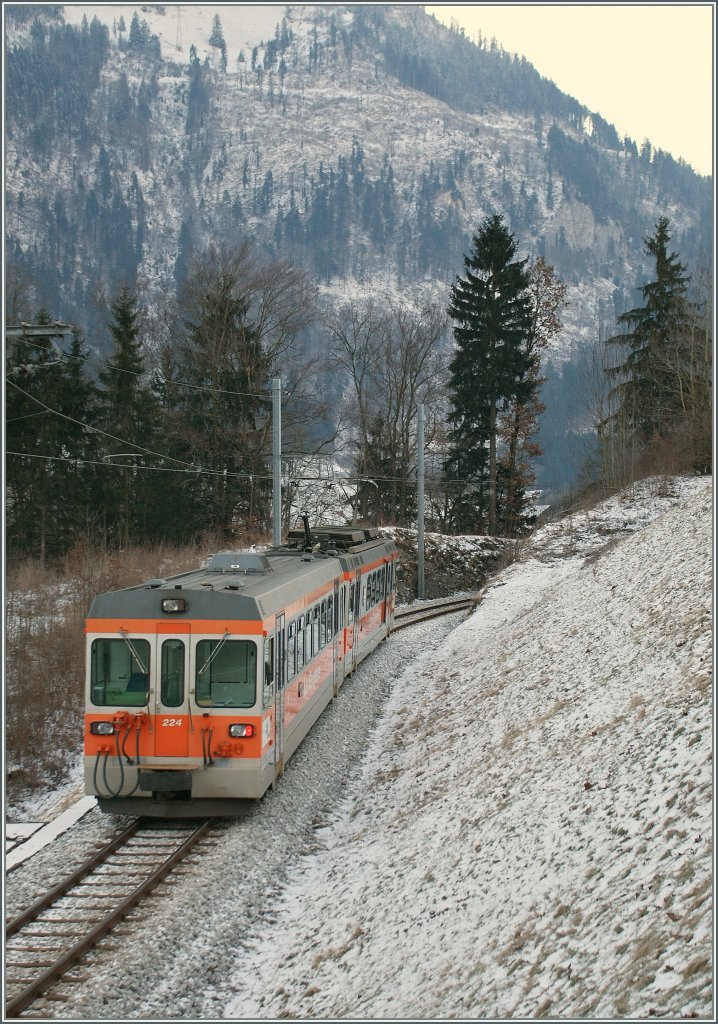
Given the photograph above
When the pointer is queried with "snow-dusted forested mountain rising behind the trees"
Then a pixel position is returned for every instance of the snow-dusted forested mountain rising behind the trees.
(366, 144)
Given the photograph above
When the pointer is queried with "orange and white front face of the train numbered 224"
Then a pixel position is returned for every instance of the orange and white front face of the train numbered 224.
(164, 707)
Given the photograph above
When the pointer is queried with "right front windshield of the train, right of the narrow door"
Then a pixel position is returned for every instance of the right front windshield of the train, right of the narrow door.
(226, 674)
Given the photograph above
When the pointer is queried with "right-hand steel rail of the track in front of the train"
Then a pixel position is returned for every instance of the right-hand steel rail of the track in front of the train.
(18, 1004)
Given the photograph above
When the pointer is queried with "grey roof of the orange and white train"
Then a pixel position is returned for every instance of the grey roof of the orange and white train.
(245, 585)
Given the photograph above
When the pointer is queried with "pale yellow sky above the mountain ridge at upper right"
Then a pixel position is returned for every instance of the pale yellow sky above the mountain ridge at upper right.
(647, 69)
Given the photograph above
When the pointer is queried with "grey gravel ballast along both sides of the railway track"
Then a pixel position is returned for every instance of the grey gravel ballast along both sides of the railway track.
(177, 952)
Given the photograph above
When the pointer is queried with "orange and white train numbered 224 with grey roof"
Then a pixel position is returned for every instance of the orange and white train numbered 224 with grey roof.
(201, 687)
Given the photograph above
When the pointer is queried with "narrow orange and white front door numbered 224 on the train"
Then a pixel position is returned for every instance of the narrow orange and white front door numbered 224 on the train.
(168, 699)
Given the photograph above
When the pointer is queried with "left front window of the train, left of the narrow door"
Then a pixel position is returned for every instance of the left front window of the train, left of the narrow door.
(120, 672)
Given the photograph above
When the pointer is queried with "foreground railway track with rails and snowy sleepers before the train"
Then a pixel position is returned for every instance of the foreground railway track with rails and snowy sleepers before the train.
(53, 936)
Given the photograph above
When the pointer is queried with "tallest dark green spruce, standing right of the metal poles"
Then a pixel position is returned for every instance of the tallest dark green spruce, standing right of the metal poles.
(491, 309)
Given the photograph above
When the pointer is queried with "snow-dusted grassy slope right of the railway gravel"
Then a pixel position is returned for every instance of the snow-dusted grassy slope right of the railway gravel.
(532, 832)
